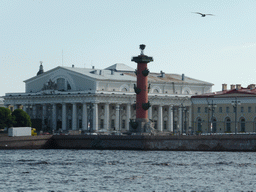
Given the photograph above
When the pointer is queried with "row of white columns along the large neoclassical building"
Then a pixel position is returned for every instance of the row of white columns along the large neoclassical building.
(107, 116)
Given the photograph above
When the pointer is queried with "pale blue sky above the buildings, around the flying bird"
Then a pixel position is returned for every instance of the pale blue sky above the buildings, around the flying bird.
(217, 49)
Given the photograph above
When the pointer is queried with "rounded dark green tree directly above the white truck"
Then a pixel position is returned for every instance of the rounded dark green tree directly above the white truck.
(22, 119)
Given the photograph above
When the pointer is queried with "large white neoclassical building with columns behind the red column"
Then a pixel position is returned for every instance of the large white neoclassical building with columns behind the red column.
(71, 98)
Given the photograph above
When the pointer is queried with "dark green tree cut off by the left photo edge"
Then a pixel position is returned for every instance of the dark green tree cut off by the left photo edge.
(6, 119)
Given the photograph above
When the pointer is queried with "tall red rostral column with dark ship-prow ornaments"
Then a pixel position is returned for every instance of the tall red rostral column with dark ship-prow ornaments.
(141, 89)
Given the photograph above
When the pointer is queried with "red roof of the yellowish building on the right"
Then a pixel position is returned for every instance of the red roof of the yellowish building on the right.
(248, 91)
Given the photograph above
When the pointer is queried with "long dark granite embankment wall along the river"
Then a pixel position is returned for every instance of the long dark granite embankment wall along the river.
(136, 142)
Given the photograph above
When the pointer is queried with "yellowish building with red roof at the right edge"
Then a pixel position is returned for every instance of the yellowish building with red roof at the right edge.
(226, 111)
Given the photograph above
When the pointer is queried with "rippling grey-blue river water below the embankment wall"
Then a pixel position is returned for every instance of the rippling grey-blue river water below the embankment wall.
(112, 170)
